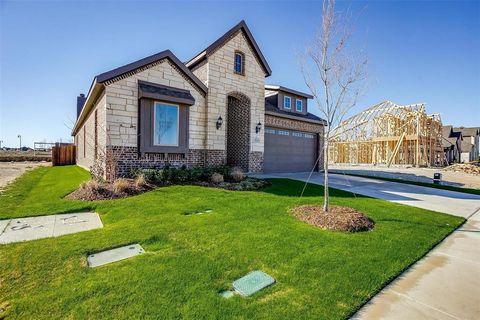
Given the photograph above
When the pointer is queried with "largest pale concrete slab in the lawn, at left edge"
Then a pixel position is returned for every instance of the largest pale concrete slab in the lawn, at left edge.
(33, 228)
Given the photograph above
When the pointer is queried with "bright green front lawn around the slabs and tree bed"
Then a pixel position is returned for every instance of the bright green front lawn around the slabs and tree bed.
(320, 274)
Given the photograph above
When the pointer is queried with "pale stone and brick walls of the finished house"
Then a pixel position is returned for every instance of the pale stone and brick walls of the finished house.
(111, 130)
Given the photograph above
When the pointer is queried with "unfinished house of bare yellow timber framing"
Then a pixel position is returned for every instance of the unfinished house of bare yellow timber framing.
(387, 134)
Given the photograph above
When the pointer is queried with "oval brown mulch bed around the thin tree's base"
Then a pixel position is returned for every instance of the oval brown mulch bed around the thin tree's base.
(338, 218)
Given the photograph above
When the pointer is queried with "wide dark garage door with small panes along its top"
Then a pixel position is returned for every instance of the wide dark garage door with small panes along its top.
(289, 151)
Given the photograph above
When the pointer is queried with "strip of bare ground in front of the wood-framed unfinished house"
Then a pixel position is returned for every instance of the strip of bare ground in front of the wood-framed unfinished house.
(457, 179)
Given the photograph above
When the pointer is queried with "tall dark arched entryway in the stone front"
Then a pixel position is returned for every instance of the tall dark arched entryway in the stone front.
(238, 130)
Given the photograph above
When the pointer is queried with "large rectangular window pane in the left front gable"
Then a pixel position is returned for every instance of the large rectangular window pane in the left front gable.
(166, 123)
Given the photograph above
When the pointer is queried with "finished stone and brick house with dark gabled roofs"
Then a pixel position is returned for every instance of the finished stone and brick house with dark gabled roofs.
(213, 109)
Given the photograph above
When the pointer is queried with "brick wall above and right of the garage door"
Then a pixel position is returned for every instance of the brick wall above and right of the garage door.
(280, 122)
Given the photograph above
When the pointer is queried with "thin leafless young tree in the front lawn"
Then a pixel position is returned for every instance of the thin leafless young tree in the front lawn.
(335, 74)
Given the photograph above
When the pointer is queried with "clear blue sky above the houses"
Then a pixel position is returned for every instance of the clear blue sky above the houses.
(50, 51)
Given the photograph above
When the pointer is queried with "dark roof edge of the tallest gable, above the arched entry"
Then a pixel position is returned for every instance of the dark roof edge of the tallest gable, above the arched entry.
(220, 41)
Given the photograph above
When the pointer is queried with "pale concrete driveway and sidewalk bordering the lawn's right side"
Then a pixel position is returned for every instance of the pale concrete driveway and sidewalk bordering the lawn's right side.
(445, 284)
